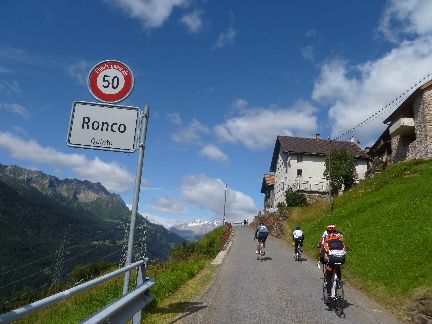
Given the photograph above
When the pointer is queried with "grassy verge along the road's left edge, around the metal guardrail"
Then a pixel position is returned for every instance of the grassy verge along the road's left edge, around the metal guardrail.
(186, 261)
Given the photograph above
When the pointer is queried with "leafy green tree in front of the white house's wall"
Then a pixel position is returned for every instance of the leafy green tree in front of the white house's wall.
(342, 169)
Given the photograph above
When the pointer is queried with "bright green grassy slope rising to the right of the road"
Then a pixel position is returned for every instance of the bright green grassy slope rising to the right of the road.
(387, 225)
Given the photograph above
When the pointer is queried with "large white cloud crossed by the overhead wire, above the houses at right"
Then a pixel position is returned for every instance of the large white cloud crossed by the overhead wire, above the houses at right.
(354, 92)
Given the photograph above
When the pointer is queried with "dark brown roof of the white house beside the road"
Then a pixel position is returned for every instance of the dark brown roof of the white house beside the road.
(312, 146)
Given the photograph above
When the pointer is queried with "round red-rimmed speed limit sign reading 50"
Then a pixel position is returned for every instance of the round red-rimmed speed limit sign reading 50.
(110, 81)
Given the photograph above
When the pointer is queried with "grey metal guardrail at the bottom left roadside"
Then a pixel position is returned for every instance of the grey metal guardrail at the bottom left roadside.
(126, 307)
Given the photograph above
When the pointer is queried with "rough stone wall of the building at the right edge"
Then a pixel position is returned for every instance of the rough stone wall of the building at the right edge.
(421, 147)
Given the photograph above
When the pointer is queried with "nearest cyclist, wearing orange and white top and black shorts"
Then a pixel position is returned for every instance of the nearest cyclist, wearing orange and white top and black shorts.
(332, 251)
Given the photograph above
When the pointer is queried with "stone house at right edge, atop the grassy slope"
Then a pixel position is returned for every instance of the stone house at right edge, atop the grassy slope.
(409, 128)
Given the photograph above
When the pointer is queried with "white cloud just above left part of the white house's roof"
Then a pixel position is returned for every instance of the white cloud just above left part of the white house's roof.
(257, 128)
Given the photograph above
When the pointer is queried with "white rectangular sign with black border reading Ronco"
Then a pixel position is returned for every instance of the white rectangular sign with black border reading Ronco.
(103, 127)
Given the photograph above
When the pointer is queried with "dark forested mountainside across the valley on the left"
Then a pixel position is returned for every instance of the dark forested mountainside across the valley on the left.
(48, 225)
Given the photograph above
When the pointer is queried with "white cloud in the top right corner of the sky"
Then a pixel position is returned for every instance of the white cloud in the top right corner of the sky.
(406, 17)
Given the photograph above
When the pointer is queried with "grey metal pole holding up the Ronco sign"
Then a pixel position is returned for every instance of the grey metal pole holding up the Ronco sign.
(144, 121)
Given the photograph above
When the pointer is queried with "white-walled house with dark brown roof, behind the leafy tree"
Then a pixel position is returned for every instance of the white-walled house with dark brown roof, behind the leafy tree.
(298, 164)
